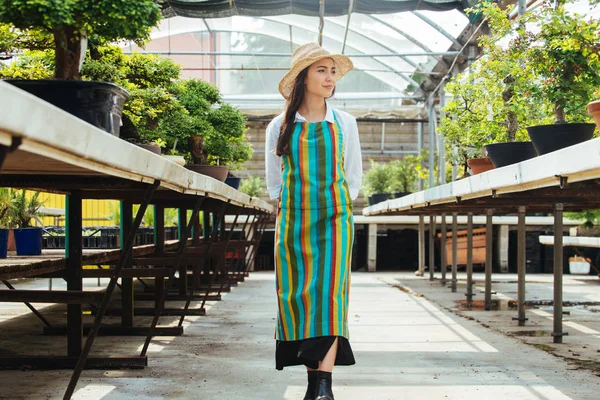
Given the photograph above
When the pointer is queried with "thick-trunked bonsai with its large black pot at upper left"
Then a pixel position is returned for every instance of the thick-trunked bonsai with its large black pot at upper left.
(71, 24)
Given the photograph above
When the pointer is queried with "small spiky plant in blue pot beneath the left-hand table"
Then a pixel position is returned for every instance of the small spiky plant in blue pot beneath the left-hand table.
(28, 239)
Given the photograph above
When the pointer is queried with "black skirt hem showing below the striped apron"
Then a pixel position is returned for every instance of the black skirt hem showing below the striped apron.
(310, 351)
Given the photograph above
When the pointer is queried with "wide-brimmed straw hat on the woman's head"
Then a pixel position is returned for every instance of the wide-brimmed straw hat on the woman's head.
(303, 57)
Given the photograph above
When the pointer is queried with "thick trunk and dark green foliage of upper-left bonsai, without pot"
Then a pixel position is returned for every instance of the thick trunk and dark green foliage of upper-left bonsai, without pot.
(71, 22)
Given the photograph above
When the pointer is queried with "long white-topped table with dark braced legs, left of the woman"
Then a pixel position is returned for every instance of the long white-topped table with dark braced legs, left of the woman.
(44, 148)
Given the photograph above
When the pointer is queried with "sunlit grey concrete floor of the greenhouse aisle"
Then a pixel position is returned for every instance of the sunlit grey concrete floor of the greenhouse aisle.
(407, 346)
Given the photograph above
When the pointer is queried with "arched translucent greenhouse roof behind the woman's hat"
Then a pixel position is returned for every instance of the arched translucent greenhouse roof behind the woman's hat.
(246, 56)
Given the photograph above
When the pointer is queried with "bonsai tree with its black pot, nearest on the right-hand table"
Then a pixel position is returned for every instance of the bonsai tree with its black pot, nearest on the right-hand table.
(564, 54)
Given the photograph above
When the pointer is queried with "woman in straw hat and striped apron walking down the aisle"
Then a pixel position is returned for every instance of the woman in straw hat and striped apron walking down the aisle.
(314, 169)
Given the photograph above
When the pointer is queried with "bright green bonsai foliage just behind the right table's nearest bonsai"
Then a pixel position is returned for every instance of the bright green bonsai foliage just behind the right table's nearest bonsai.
(494, 101)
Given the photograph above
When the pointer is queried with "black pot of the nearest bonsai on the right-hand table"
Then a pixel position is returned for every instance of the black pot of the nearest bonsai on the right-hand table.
(549, 138)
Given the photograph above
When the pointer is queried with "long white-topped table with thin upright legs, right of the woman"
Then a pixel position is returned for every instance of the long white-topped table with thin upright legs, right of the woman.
(565, 180)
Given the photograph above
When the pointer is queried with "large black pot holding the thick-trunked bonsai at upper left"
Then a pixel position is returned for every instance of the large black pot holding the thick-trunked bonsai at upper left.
(98, 103)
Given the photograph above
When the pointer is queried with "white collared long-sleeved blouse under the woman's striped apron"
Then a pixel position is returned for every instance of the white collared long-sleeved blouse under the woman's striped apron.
(352, 153)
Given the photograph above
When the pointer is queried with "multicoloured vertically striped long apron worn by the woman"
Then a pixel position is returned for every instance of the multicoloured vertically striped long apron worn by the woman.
(313, 235)
